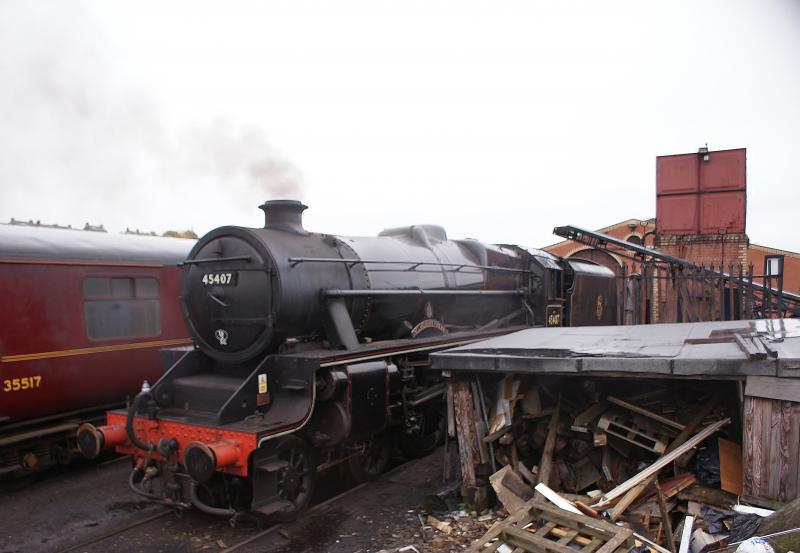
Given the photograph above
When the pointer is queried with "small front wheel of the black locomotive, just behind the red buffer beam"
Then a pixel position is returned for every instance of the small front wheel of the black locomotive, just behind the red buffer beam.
(296, 481)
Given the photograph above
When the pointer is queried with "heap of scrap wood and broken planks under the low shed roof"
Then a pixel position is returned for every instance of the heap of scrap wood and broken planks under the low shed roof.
(604, 451)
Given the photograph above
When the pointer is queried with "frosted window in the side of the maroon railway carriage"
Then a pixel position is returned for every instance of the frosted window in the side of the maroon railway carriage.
(121, 307)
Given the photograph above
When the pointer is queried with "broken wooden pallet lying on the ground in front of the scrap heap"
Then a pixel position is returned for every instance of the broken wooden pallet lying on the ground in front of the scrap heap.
(540, 527)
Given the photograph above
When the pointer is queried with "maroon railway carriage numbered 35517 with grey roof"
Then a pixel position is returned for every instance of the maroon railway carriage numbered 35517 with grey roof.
(84, 315)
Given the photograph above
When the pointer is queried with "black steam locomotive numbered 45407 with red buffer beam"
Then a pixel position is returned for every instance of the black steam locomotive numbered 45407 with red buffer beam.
(311, 351)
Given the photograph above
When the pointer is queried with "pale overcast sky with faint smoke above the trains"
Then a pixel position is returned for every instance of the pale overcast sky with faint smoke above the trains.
(498, 120)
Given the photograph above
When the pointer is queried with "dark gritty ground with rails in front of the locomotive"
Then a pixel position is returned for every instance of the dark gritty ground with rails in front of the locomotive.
(386, 515)
